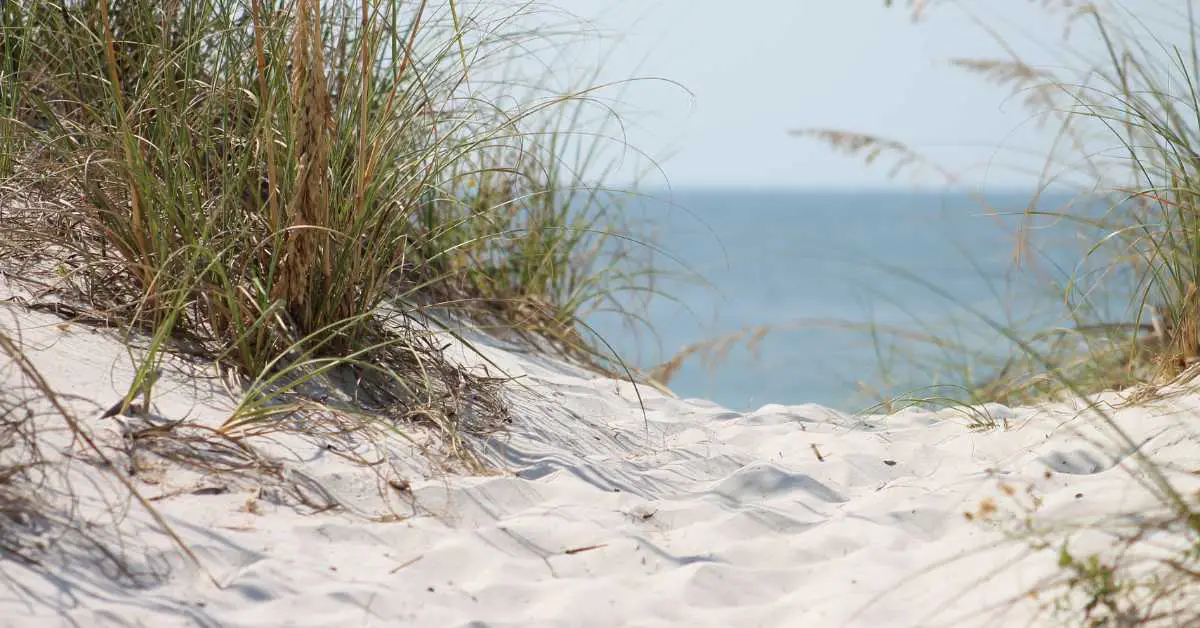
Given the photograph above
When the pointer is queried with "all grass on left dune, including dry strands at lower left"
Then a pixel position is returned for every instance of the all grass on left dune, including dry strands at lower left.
(310, 198)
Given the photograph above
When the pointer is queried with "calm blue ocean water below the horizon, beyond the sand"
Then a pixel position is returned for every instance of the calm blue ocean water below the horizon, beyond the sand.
(820, 268)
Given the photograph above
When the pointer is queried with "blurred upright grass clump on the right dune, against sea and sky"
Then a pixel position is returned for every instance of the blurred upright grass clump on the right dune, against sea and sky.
(1127, 129)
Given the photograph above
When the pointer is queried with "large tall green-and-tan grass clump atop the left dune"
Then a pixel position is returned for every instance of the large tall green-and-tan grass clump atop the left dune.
(259, 178)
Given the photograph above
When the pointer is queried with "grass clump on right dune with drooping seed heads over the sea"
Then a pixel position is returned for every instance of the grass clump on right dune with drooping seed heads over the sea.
(1125, 143)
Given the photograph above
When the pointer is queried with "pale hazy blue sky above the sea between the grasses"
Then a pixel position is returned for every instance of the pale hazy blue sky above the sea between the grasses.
(758, 69)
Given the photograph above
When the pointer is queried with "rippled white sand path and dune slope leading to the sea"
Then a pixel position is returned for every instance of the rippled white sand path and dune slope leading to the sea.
(688, 516)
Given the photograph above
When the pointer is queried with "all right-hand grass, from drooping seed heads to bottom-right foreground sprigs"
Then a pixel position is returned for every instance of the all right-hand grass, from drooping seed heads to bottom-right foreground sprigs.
(1126, 116)
